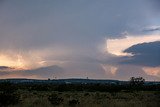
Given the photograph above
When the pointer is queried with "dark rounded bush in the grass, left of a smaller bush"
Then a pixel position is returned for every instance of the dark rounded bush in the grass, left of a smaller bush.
(55, 100)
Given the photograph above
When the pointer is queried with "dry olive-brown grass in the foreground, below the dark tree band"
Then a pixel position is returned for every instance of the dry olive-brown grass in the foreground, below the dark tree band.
(89, 99)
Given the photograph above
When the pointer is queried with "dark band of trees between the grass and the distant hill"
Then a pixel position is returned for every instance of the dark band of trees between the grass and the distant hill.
(8, 87)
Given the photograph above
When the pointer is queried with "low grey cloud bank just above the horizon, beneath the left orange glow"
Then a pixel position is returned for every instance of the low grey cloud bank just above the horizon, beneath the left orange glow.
(42, 72)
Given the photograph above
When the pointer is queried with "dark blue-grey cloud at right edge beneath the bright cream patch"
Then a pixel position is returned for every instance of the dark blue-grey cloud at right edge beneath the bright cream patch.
(145, 54)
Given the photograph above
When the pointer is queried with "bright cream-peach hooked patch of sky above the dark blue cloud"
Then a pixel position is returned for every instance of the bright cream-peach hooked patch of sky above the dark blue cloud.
(117, 46)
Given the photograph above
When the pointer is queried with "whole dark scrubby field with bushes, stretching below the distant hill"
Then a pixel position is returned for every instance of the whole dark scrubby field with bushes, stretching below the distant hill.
(32, 94)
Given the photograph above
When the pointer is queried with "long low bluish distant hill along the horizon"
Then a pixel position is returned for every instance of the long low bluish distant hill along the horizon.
(69, 81)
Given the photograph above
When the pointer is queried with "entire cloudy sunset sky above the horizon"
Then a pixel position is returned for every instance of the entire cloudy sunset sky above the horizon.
(98, 39)
